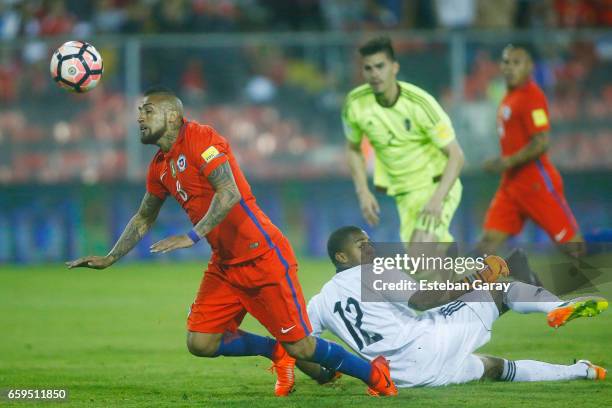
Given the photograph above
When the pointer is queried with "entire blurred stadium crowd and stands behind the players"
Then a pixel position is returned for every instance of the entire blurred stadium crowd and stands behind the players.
(279, 101)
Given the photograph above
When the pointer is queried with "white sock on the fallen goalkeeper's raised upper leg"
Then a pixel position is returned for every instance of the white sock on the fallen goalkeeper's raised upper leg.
(524, 298)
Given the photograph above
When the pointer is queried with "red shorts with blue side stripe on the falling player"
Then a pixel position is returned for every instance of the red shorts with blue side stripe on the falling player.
(267, 287)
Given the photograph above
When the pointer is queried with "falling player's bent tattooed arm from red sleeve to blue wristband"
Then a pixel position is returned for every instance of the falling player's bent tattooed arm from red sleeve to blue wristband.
(226, 196)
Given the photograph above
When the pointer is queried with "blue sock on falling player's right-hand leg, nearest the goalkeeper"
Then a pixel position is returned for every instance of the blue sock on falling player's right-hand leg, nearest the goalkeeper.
(331, 355)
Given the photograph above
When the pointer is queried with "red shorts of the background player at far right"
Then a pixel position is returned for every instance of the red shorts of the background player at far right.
(542, 201)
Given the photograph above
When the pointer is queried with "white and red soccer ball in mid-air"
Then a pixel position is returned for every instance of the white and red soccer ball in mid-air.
(77, 66)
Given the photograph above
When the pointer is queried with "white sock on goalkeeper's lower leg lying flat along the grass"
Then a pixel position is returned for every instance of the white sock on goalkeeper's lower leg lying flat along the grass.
(530, 370)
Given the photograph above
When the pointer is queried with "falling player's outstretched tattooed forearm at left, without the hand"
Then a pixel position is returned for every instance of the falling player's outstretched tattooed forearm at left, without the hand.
(138, 226)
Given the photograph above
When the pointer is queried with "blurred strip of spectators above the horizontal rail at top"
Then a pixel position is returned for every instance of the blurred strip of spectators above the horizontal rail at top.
(53, 17)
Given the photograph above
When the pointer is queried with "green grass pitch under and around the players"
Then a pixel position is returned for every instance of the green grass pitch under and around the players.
(117, 338)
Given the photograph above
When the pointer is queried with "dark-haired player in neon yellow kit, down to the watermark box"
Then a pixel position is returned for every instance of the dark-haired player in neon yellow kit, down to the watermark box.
(418, 159)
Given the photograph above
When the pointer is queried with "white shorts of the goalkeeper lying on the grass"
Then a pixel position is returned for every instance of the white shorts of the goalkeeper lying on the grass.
(446, 354)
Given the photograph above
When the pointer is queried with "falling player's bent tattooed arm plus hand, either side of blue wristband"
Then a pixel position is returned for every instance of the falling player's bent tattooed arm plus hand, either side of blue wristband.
(226, 196)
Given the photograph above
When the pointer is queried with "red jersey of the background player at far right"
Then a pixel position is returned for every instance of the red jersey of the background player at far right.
(523, 113)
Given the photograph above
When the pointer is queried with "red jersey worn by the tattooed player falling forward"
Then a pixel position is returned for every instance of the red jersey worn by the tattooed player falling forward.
(246, 232)
